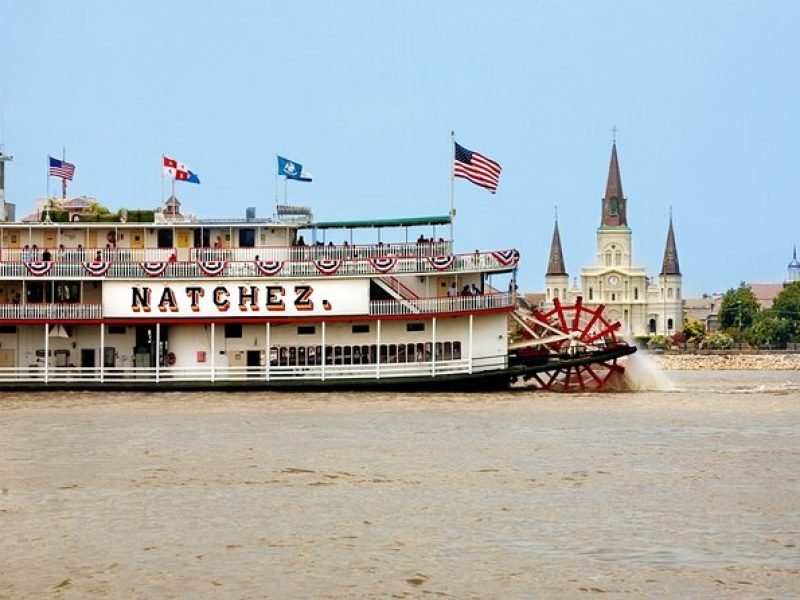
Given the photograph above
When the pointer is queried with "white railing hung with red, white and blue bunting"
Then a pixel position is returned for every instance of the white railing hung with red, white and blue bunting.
(361, 267)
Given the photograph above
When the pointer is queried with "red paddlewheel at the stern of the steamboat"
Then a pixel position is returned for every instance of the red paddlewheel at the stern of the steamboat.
(581, 345)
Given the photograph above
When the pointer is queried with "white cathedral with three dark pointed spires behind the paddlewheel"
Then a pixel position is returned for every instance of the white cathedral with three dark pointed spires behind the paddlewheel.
(643, 305)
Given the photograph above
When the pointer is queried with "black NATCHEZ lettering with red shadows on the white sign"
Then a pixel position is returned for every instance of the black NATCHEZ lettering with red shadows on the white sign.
(250, 298)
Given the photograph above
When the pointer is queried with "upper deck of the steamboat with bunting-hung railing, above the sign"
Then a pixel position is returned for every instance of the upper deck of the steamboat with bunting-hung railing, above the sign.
(180, 248)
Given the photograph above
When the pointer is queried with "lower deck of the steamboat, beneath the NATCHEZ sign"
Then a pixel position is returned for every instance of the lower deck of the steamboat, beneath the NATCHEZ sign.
(252, 354)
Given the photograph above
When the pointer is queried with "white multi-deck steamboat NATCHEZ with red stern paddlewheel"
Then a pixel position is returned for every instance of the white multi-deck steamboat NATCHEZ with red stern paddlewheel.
(165, 300)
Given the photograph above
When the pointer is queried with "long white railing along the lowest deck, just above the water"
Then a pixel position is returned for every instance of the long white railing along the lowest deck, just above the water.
(312, 373)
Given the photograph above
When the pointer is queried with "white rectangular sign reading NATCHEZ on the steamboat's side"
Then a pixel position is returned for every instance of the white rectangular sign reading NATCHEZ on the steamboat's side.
(232, 299)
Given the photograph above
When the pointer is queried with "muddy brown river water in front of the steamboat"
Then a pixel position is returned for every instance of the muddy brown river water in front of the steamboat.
(689, 492)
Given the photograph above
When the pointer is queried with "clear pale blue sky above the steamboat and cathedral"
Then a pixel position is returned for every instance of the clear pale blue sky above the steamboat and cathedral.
(364, 94)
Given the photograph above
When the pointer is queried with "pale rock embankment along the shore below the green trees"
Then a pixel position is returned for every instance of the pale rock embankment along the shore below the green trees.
(728, 361)
